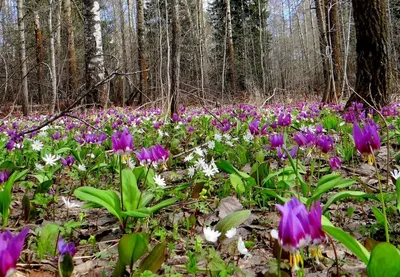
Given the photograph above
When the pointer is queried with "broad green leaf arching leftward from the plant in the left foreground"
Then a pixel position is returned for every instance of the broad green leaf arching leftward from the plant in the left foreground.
(105, 198)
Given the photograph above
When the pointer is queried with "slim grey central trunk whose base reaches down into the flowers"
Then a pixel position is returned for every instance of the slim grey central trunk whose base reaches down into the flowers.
(175, 56)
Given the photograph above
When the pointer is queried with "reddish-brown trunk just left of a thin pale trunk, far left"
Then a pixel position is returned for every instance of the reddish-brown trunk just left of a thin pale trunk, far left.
(39, 55)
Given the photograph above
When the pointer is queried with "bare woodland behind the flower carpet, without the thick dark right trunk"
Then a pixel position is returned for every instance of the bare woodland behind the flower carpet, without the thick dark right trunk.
(161, 53)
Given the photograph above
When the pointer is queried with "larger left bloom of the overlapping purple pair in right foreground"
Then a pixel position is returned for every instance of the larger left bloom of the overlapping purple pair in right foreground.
(294, 226)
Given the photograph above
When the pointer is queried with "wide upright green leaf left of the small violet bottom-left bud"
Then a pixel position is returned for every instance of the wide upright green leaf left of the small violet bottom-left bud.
(47, 240)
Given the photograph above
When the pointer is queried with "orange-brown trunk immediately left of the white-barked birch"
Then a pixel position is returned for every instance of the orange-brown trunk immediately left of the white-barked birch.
(72, 67)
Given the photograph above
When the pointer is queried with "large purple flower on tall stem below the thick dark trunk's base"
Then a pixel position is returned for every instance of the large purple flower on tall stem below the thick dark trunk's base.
(366, 140)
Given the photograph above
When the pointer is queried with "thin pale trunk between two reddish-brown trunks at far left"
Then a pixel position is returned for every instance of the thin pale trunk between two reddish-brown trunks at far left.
(53, 74)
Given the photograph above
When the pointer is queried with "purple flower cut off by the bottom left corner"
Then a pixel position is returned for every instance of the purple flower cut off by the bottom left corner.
(10, 250)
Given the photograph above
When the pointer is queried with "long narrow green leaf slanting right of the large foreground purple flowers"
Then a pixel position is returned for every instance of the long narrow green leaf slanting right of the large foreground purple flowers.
(348, 241)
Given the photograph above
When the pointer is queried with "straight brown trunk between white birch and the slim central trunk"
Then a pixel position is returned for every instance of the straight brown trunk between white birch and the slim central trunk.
(141, 50)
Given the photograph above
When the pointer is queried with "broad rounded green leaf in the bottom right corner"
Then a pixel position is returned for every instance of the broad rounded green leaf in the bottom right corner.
(384, 261)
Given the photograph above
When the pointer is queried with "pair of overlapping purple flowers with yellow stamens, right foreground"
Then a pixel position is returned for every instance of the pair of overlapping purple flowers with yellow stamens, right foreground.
(299, 227)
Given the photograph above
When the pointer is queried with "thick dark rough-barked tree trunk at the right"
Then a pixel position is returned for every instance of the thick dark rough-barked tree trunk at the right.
(373, 63)
